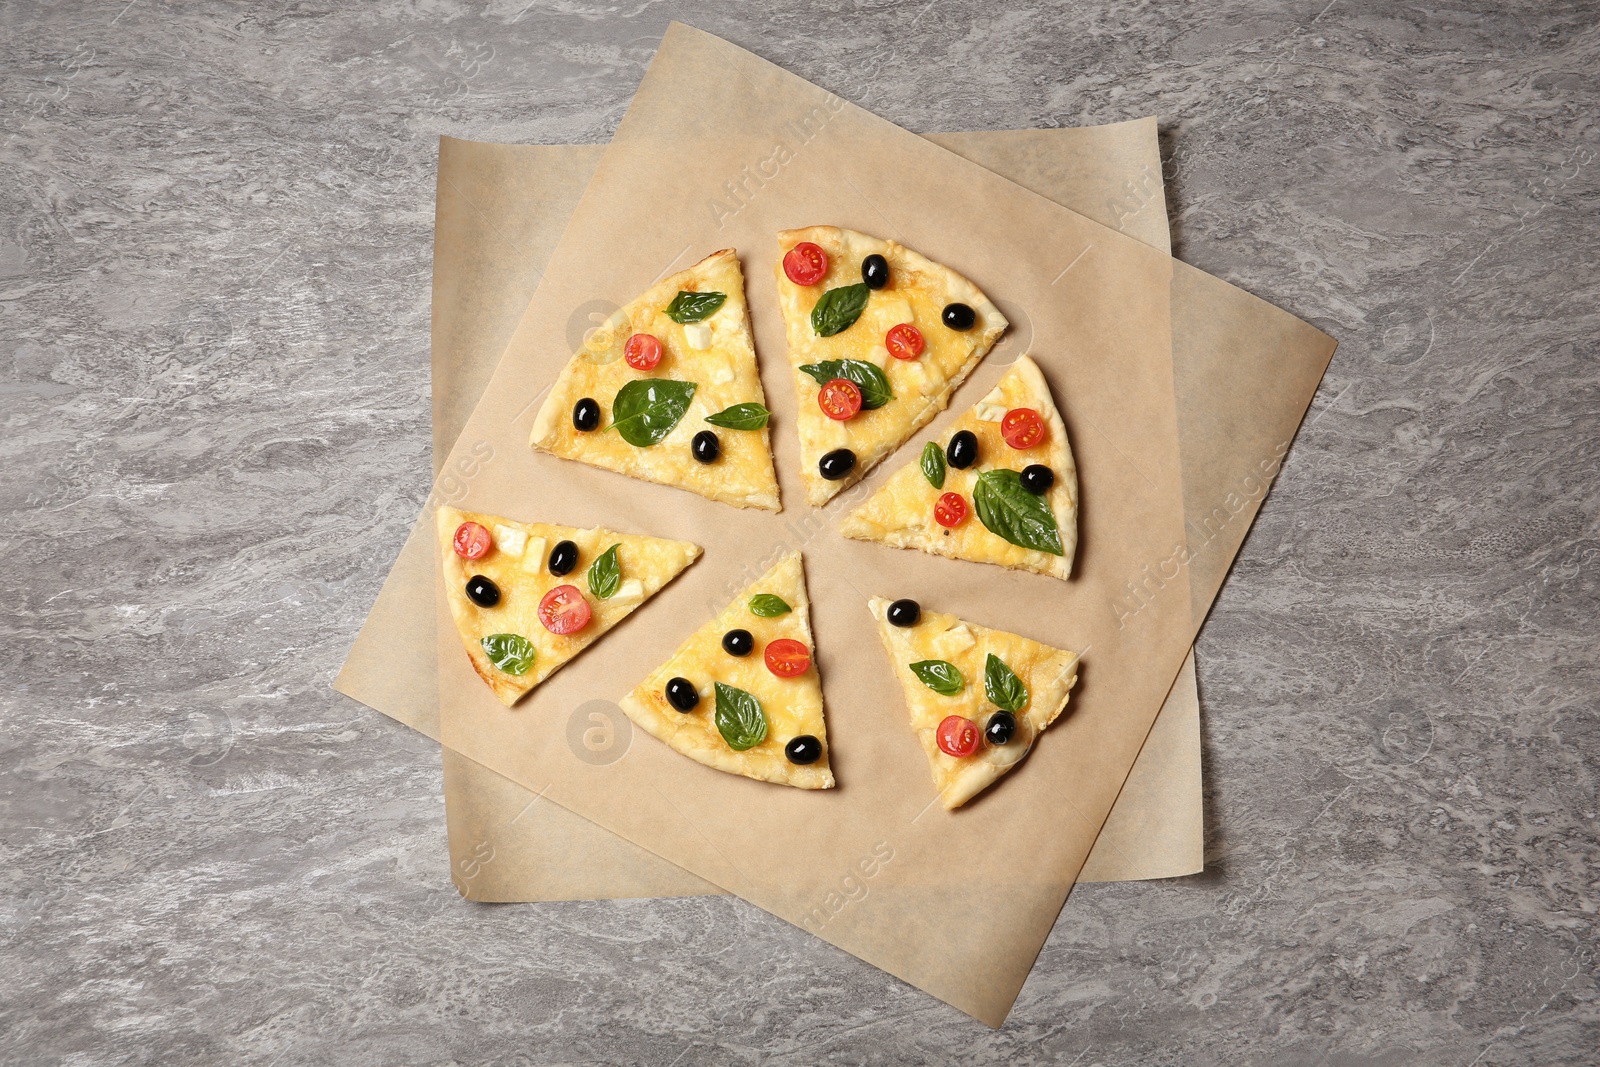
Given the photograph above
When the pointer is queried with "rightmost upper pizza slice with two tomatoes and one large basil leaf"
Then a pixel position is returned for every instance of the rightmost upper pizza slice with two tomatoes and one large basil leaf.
(999, 489)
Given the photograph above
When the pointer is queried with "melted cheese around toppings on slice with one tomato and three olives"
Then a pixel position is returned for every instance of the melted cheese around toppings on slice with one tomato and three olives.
(793, 706)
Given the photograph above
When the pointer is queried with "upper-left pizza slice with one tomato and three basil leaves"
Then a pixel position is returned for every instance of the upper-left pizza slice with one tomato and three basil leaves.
(668, 391)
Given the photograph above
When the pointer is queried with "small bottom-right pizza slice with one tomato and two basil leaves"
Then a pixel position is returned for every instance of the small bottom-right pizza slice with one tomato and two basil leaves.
(978, 698)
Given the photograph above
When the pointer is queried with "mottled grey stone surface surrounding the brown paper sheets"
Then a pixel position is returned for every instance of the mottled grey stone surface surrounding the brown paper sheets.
(214, 324)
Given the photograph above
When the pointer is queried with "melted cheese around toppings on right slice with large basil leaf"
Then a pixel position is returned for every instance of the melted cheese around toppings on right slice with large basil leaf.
(902, 513)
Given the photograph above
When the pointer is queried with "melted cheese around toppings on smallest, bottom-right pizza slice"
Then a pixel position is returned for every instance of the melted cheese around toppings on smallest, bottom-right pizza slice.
(1047, 673)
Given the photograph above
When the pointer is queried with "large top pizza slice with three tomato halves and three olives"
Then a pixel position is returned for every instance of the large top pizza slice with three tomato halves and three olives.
(879, 338)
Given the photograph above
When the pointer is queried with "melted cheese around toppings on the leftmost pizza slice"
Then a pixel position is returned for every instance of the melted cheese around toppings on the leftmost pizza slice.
(647, 564)
